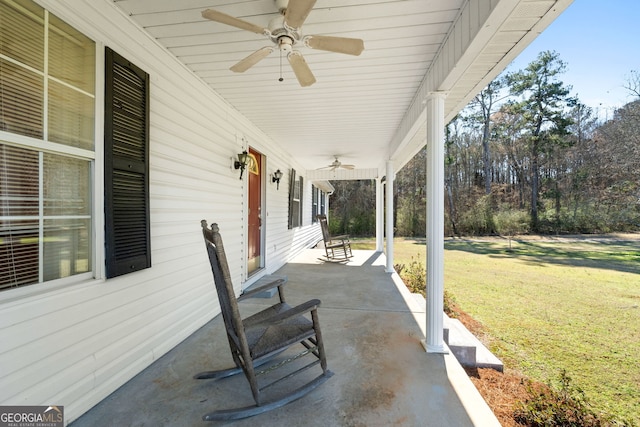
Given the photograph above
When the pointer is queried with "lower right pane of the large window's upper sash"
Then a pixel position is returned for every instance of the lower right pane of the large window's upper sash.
(70, 116)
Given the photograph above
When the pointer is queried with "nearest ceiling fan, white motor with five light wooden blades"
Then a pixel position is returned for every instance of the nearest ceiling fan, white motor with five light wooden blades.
(285, 33)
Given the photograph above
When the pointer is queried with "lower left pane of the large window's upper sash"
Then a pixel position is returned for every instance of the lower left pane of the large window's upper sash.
(21, 100)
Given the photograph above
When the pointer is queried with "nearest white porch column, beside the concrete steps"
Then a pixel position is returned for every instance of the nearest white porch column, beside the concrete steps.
(435, 223)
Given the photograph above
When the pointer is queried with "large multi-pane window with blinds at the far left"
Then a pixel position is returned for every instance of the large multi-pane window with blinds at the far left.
(47, 87)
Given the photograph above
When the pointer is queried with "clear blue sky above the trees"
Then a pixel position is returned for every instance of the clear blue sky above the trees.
(599, 40)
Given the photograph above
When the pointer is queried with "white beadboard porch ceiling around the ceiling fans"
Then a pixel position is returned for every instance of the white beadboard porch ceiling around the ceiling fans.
(364, 109)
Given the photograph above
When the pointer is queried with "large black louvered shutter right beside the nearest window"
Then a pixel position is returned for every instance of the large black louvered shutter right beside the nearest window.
(126, 145)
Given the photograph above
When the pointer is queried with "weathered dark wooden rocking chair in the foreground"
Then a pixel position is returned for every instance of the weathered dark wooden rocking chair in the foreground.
(258, 339)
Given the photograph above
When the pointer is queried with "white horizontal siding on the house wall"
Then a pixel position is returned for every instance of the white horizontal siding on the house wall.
(75, 344)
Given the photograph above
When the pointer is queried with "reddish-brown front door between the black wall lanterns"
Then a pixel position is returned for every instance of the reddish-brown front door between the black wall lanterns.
(255, 211)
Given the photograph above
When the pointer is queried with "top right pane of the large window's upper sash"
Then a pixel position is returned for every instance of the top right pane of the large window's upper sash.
(71, 55)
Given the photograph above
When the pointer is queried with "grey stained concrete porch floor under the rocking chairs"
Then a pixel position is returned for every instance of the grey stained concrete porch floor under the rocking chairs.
(372, 328)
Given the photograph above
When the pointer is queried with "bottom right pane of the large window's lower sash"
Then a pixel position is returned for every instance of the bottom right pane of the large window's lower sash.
(66, 247)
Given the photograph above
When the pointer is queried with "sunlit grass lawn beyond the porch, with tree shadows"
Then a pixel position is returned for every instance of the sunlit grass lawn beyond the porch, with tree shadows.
(554, 304)
